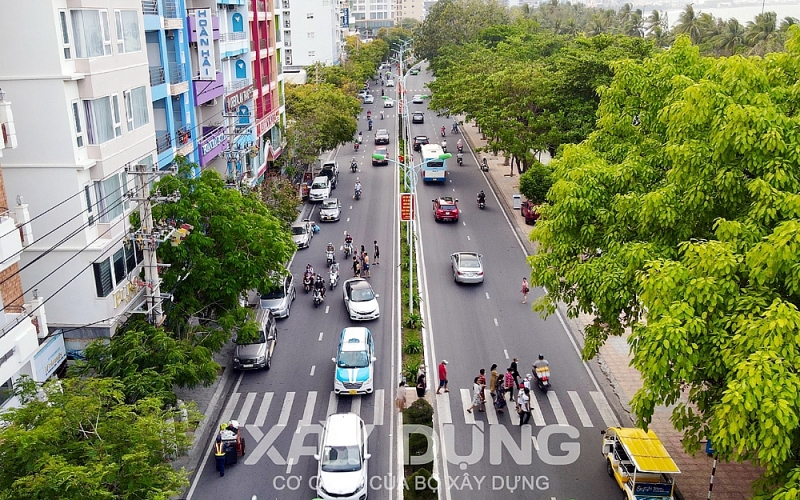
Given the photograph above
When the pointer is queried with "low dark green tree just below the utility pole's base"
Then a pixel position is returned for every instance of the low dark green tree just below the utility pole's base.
(149, 362)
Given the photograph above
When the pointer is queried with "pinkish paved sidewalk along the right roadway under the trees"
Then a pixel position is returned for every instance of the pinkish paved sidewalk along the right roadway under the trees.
(732, 481)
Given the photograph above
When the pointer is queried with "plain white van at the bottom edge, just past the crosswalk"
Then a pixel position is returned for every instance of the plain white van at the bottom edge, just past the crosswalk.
(342, 458)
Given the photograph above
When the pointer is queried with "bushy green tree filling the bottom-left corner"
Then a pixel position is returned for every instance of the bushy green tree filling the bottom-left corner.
(78, 439)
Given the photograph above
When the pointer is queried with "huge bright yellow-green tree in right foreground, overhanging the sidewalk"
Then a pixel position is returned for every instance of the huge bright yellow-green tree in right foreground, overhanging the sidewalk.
(683, 225)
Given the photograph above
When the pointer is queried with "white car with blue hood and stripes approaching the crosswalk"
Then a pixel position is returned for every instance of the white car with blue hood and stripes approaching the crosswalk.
(355, 362)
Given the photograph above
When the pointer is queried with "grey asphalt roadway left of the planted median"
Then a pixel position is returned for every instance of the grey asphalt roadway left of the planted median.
(283, 409)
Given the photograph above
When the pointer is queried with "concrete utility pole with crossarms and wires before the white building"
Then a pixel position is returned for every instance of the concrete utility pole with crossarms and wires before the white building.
(148, 238)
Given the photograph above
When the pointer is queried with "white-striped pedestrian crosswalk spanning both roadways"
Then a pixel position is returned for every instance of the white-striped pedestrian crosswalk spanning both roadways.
(269, 408)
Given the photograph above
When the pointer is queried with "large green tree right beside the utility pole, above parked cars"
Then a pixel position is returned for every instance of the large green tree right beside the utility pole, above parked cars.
(236, 243)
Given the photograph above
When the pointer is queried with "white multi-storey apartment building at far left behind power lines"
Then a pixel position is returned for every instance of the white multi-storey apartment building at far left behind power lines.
(82, 116)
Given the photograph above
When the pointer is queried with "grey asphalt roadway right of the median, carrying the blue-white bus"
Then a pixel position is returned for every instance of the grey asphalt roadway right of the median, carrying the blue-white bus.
(486, 455)
